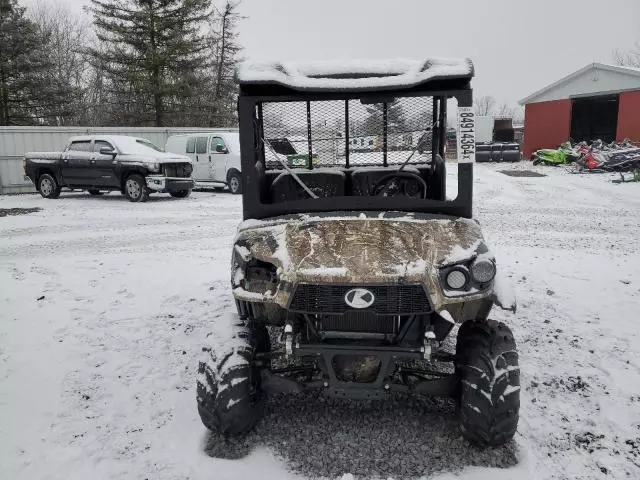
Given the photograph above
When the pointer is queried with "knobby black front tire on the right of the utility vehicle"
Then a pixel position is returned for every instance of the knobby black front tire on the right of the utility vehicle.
(489, 396)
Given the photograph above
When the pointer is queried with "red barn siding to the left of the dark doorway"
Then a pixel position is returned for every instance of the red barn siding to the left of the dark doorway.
(546, 125)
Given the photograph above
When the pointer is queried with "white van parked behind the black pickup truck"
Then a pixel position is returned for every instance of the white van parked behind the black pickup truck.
(215, 155)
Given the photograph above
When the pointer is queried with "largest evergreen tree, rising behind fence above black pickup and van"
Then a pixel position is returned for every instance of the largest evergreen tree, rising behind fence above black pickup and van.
(152, 52)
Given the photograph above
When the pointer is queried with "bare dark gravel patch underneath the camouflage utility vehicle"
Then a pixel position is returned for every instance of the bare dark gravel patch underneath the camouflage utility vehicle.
(401, 437)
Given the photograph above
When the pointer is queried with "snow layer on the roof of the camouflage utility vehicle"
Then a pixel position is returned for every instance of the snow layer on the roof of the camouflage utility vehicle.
(355, 74)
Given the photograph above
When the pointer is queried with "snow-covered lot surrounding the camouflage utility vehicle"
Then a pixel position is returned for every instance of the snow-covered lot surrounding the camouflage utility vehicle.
(104, 305)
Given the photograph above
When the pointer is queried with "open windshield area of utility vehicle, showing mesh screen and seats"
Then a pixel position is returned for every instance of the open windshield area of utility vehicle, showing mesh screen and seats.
(384, 149)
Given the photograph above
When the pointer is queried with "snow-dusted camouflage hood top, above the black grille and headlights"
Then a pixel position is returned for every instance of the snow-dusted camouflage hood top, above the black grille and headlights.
(357, 249)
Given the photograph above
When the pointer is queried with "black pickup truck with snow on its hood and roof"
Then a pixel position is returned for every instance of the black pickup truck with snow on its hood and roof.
(131, 165)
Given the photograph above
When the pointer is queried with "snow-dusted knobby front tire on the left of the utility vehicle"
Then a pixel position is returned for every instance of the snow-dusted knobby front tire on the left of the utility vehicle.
(230, 400)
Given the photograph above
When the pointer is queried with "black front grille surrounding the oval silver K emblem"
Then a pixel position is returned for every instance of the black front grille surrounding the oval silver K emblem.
(389, 299)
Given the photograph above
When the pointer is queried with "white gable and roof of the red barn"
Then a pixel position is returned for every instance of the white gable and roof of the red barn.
(593, 79)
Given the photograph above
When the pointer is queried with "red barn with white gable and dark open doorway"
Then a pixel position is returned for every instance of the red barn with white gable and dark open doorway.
(598, 101)
